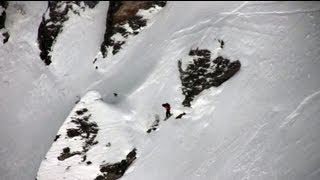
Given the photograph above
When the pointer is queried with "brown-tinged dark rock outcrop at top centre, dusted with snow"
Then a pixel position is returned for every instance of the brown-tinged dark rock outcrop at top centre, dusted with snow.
(119, 14)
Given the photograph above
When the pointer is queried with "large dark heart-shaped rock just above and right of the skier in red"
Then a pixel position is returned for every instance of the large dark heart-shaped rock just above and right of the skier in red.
(204, 73)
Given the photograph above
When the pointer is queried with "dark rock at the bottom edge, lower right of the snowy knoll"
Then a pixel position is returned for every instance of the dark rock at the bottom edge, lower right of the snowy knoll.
(116, 170)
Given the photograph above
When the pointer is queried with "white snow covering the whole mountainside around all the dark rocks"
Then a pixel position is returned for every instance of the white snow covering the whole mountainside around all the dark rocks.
(262, 123)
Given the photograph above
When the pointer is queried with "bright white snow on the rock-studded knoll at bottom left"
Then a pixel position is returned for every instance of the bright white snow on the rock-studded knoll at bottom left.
(113, 127)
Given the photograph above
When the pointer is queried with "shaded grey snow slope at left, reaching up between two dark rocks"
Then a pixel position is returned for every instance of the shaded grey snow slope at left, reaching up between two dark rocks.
(34, 99)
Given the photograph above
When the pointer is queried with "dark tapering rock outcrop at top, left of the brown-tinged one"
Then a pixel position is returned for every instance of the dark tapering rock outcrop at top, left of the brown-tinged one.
(52, 23)
